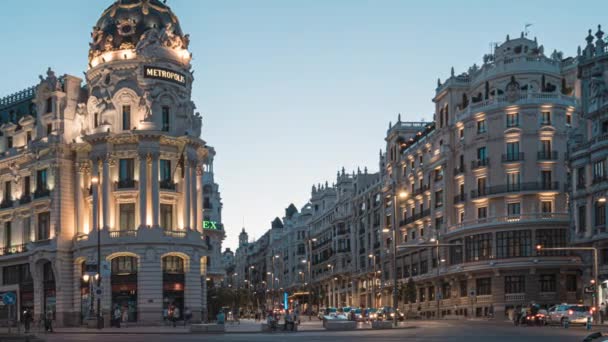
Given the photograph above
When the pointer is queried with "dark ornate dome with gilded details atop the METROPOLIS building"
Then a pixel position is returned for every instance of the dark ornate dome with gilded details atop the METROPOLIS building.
(124, 23)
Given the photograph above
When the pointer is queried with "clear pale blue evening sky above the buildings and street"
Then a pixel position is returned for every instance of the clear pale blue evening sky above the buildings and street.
(291, 91)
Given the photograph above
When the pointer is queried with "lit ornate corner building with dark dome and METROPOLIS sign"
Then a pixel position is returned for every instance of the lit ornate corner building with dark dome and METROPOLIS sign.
(115, 156)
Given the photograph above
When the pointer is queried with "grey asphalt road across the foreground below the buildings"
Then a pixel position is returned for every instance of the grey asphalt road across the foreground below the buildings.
(429, 331)
